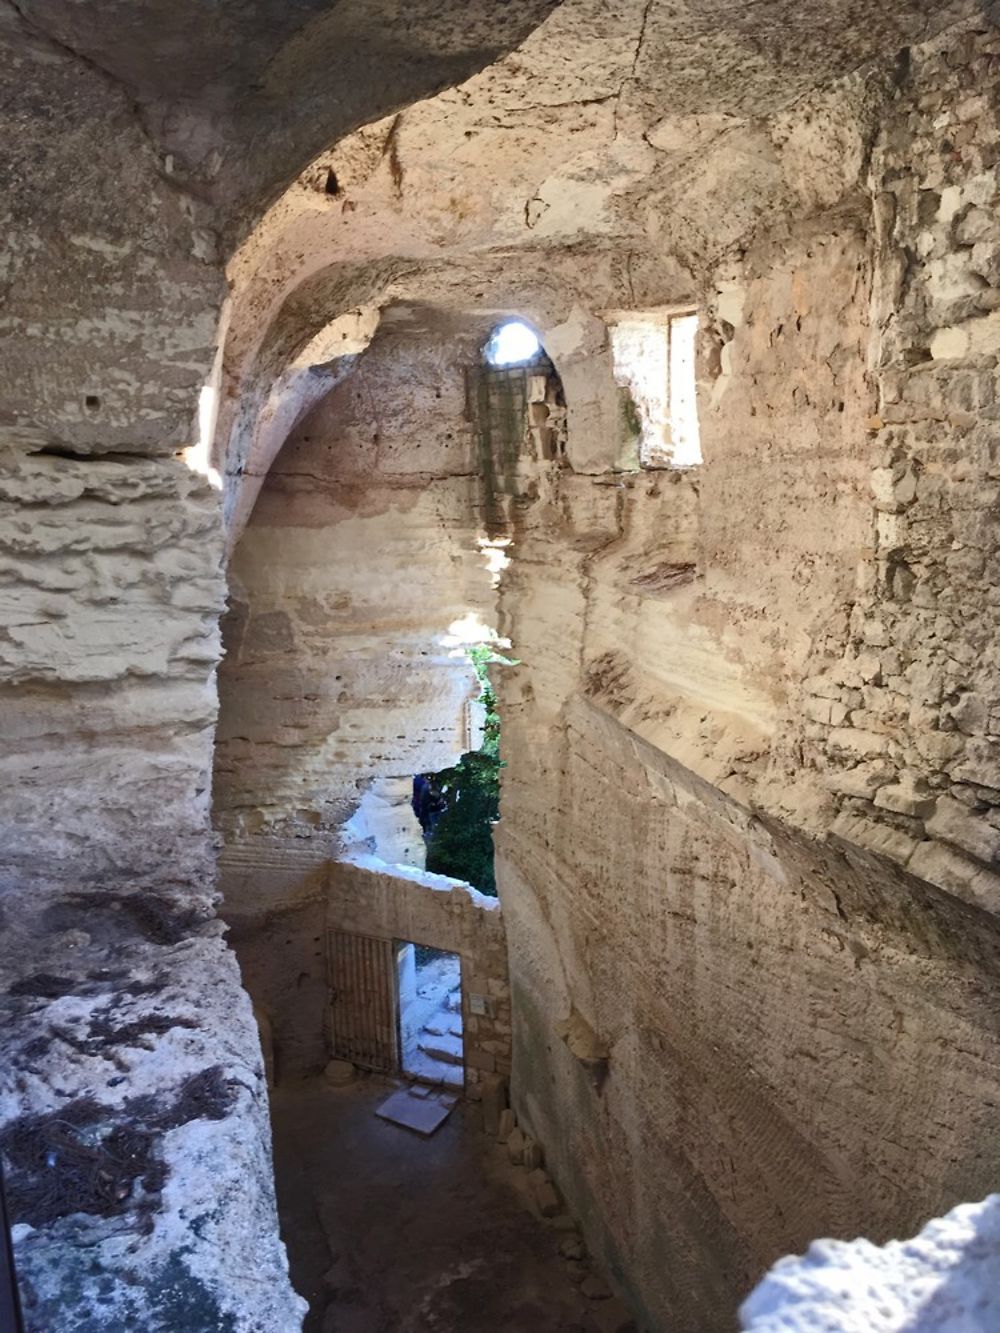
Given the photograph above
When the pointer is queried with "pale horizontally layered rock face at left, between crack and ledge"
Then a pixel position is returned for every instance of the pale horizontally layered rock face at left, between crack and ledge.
(111, 601)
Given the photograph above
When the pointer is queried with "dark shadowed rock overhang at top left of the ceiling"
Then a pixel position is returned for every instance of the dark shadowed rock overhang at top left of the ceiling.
(245, 91)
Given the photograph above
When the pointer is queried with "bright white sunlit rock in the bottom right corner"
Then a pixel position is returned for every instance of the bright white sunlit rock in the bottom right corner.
(946, 1280)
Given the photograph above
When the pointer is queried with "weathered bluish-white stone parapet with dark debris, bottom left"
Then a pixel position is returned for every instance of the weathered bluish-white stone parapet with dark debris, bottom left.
(134, 1119)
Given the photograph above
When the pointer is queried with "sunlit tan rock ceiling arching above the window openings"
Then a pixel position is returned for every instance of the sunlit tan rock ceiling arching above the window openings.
(659, 131)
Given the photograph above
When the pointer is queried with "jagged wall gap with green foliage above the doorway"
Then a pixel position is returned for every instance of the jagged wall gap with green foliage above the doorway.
(462, 844)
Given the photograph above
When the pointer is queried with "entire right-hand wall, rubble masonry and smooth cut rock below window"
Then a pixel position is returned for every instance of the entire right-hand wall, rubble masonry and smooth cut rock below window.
(682, 850)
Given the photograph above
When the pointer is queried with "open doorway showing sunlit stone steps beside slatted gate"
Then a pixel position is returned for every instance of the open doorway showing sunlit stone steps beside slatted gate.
(431, 1038)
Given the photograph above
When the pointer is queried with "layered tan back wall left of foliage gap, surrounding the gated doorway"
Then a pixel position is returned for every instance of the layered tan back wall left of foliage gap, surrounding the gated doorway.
(345, 676)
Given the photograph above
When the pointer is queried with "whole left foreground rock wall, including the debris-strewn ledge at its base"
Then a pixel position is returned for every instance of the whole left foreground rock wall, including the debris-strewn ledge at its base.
(133, 1102)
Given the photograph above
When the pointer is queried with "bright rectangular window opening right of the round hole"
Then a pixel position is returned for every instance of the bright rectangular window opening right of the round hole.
(655, 357)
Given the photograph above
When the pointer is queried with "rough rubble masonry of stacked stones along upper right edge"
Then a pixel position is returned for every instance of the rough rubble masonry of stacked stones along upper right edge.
(906, 720)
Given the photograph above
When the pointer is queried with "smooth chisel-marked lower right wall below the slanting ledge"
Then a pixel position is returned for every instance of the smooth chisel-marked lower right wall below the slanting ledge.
(769, 1006)
